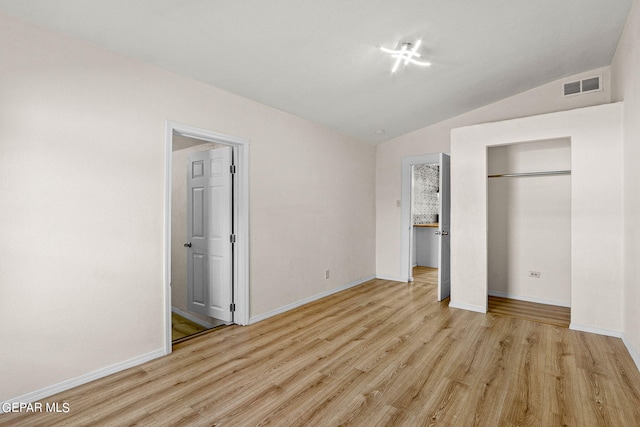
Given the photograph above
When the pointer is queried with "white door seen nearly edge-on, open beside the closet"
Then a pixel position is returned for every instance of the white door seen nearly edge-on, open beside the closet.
(444, 268)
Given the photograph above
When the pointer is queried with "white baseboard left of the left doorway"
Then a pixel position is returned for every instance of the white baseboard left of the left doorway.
(43, 393)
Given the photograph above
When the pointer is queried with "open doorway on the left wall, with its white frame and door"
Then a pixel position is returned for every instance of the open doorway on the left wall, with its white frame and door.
(184, 150)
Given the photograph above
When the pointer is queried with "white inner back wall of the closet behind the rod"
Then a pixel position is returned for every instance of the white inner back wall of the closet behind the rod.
(530, 222)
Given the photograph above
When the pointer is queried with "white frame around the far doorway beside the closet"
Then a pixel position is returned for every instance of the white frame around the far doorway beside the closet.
(405, 210)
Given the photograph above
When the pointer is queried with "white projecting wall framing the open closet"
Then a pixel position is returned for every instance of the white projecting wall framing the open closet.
(596, 198)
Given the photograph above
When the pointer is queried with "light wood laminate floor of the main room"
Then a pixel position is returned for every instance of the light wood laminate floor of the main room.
(380, 354)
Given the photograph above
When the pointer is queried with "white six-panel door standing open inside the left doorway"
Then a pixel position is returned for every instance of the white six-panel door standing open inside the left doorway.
(209, 229)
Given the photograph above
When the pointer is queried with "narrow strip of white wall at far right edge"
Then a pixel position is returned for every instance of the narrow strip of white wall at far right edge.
(626, 72)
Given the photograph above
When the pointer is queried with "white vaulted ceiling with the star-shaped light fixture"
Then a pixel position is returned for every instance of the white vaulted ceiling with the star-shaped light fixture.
(321, 60)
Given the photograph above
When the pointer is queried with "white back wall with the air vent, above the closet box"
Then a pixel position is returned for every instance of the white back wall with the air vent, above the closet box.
(436, 138)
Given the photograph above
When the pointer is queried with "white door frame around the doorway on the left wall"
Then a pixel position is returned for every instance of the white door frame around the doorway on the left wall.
(240, 216)
